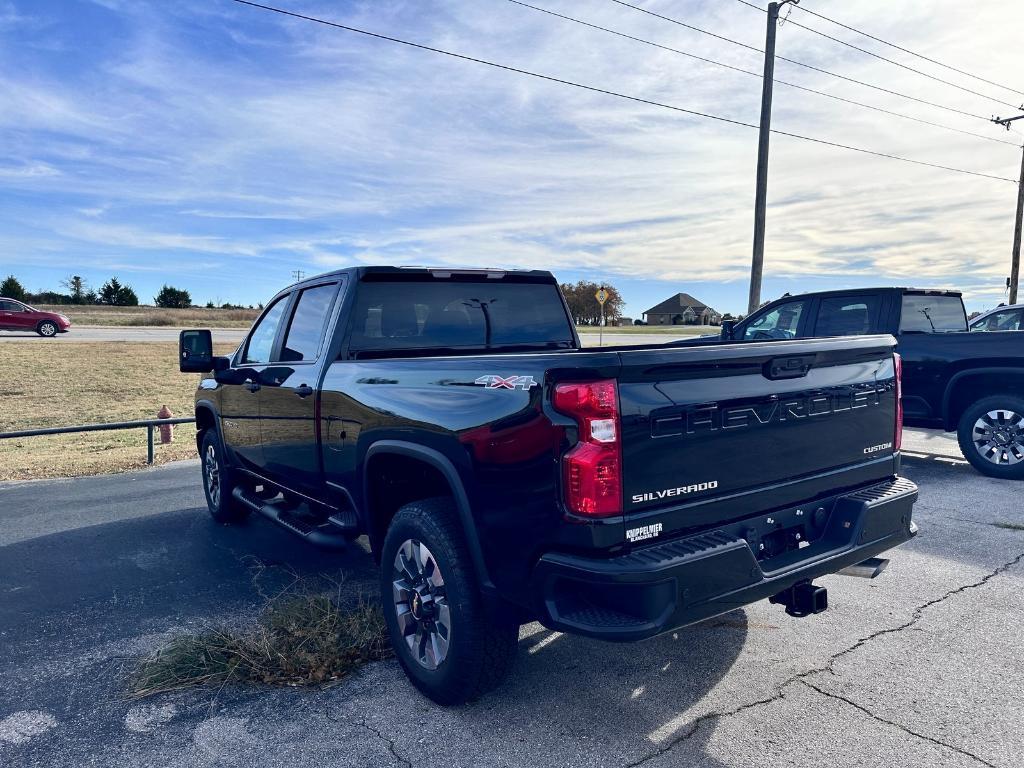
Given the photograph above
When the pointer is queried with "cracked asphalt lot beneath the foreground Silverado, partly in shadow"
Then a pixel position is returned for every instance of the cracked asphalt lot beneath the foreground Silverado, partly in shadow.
(921, 667)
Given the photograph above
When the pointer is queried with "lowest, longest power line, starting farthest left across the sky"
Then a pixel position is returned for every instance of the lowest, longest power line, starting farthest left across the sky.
(608, 93)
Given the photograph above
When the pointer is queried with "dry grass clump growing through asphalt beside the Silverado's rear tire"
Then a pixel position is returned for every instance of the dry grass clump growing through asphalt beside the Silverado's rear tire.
(303, 638)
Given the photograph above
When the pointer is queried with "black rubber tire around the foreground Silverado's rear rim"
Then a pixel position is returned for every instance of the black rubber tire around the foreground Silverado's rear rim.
(481, 650)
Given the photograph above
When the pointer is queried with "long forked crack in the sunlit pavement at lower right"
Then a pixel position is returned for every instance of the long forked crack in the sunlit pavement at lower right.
(802, 676)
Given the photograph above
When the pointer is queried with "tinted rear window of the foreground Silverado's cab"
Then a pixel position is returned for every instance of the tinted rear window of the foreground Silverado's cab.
(421, 315)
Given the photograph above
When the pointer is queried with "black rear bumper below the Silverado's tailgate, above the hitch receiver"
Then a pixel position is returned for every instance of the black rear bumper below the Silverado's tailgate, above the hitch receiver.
(666, 586)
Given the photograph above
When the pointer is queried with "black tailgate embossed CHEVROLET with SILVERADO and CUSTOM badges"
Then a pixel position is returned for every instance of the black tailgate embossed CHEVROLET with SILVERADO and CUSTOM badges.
(712, 434)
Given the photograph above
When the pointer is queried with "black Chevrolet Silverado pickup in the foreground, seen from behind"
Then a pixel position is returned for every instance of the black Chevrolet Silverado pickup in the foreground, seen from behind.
(504, 475)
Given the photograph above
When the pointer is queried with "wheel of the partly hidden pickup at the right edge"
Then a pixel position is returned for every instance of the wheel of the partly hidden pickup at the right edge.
(992, 437)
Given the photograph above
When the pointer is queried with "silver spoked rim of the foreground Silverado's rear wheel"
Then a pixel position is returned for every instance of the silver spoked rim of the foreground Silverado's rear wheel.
(421, 605)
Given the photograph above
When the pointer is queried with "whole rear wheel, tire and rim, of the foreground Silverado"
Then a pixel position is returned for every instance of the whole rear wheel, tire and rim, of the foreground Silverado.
(441, 632)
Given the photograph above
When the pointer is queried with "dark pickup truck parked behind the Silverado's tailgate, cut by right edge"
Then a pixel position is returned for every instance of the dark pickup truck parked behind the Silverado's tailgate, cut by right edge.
(954, 380)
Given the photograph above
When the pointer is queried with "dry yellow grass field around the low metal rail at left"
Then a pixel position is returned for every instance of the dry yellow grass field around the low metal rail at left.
(51, 386)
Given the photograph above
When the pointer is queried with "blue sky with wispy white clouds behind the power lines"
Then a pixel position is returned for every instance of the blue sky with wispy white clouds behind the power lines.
(218, 148)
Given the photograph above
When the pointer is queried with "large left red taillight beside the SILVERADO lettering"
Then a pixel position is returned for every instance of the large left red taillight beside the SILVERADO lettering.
(593, 470)
